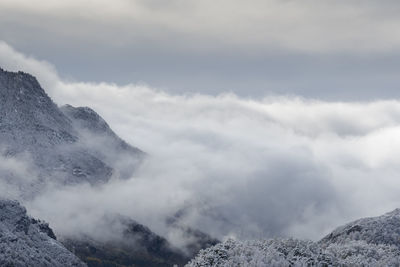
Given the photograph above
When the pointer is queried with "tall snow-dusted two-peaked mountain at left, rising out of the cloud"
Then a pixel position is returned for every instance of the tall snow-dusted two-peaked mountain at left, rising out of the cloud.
(67, 145)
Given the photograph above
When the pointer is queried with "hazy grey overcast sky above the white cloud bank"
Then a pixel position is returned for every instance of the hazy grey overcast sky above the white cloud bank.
(335, 50)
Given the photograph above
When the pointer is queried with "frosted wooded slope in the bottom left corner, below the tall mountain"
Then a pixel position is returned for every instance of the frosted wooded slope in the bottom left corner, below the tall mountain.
(25, 241)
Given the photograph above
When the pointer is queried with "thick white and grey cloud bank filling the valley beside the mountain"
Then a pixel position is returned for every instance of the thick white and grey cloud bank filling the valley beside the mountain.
(248, 168)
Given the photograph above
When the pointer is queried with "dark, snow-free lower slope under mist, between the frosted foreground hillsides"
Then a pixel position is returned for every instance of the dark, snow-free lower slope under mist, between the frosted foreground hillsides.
(133, 244)
